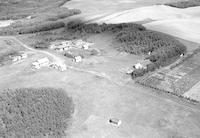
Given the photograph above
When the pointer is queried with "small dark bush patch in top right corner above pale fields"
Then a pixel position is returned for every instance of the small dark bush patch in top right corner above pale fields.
(184, 4)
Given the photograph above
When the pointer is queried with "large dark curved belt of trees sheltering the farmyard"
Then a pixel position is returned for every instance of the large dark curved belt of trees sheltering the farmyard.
(136, 39)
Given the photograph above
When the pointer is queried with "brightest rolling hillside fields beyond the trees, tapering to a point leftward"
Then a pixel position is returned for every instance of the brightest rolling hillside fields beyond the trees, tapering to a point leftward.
(182, 23)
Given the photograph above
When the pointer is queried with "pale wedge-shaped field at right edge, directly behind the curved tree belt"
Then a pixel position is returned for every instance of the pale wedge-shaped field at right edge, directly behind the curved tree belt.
(188, 29)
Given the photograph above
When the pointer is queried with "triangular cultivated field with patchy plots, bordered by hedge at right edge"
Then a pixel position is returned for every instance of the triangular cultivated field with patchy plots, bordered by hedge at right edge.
(182, 80)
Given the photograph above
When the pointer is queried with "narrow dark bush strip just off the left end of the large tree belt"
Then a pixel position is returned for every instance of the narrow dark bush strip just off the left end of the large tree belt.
(41, 27)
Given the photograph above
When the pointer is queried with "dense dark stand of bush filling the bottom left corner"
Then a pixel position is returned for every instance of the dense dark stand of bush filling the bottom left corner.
(28, 112)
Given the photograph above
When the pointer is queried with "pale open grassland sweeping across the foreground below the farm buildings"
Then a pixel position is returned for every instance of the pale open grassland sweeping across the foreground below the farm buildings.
(98, 98)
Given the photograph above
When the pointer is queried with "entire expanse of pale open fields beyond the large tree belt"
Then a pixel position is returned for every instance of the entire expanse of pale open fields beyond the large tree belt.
(182, 23)
